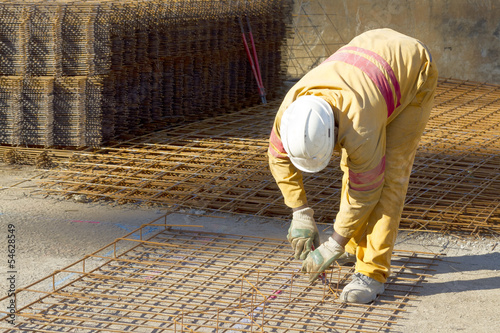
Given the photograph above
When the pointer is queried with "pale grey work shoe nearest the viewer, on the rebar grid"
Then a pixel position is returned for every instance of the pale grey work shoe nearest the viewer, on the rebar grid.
(362, 289)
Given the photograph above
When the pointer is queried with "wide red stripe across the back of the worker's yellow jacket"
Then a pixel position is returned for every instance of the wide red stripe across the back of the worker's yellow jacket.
(372, 71)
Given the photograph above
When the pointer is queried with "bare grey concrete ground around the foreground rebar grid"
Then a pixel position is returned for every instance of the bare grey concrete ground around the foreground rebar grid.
(462, 295)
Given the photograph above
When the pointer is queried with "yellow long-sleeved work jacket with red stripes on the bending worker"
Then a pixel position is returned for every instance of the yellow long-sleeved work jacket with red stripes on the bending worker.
(368, 83)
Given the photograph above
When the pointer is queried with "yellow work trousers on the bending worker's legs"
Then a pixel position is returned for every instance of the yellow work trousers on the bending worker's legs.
(373, 243)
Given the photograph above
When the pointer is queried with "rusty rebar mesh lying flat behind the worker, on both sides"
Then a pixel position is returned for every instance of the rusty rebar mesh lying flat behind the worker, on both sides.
(221, 163)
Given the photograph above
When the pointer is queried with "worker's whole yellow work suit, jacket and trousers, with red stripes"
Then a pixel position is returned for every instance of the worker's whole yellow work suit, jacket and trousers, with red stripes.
(381, 88)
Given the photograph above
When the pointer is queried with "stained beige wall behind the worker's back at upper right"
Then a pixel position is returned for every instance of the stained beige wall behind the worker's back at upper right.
(463, 35)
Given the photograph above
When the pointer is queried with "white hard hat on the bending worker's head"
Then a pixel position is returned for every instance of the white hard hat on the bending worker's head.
(308, 133)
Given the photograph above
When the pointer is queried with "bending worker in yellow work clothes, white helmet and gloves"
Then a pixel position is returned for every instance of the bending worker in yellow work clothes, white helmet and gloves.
(370, 101)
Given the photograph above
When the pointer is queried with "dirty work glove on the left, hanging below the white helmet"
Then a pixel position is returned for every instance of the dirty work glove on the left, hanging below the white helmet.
(303, 233)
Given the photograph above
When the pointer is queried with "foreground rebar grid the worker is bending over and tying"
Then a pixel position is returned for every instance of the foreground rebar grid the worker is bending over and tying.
(182, 280)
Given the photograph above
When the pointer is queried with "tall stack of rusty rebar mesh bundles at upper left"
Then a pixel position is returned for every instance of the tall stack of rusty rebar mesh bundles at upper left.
(79, 73)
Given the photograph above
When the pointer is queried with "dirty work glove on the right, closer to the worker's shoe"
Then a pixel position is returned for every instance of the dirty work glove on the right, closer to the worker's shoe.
(321, 258)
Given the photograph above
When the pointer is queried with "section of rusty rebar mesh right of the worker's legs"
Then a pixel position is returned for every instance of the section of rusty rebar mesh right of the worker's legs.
(456, 172)
